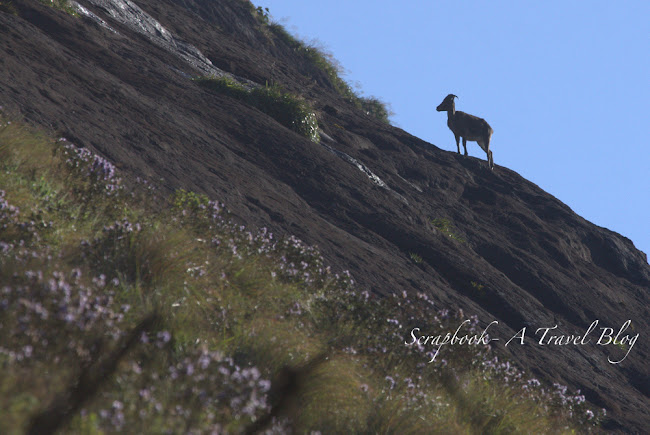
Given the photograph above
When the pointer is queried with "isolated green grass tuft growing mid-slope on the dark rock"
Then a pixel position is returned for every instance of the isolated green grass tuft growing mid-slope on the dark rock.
(289, 110)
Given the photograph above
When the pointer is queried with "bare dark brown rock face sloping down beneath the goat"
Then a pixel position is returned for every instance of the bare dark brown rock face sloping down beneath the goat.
(115, 88)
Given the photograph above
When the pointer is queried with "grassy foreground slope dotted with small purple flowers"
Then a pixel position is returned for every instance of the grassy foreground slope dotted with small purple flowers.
(124, 310)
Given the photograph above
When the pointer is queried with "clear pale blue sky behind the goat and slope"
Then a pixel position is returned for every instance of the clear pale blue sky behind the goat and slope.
(564, 85)
